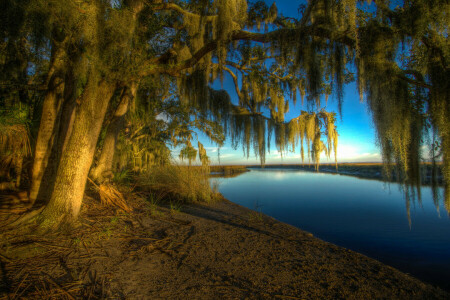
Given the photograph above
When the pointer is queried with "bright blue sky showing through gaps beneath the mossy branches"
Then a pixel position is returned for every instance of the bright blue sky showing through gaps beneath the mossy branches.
(357, 140)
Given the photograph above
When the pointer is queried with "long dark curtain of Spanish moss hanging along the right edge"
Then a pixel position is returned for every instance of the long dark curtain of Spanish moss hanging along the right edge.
(402, 105)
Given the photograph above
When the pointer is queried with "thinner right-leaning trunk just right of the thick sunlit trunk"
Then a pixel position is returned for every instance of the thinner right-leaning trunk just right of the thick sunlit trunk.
(103, 170)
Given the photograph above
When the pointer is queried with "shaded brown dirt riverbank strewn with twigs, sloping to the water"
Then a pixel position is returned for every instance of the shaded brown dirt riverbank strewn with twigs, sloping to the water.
(201, 251)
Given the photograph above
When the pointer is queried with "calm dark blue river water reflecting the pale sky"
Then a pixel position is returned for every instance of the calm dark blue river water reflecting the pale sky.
(367, 216)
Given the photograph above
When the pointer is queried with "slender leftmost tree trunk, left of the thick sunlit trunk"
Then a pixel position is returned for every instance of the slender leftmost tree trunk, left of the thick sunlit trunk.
(48, 127)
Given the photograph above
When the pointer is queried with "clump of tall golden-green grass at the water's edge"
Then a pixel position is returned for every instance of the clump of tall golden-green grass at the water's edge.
(179, 184)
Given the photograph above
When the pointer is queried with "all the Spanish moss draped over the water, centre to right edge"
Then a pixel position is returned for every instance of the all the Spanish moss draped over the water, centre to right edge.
(305, 63)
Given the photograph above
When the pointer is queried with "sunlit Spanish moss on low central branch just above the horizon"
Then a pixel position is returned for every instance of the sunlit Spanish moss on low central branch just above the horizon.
(254, 130)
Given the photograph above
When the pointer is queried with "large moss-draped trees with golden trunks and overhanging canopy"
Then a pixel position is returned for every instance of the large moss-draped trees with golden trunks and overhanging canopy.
(88, 54)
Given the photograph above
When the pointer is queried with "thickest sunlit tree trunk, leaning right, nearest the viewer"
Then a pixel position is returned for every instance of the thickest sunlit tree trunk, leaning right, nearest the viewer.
(65, 201)
